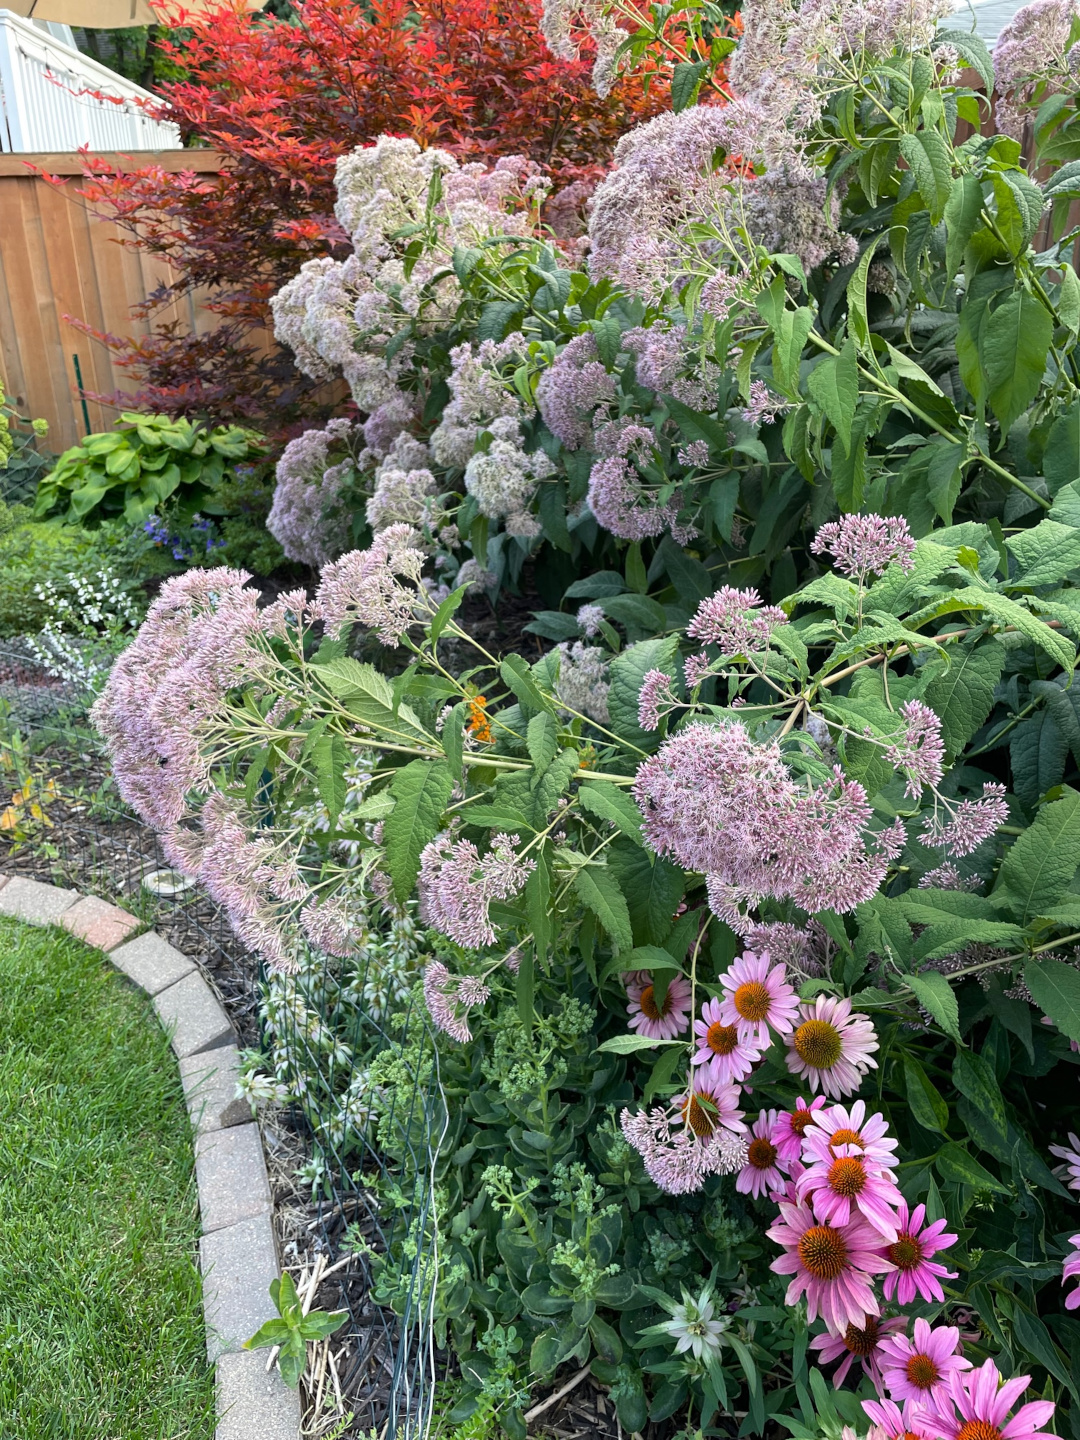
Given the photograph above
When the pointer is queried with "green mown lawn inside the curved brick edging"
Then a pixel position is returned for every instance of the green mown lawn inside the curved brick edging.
(102, 1331)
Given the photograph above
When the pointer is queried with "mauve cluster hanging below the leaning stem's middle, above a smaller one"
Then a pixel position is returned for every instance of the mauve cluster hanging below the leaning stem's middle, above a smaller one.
(456, 886)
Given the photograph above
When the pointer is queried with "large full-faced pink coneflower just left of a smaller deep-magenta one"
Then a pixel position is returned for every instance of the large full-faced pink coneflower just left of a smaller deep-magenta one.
(832, 1265)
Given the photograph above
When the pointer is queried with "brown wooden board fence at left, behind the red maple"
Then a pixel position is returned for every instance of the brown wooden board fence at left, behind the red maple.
(57, 260)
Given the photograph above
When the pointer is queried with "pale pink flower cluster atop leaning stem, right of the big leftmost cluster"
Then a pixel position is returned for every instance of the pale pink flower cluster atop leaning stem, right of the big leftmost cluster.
(366, 587)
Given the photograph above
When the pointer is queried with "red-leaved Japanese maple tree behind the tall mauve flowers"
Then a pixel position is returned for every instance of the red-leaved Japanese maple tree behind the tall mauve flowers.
(282, 100)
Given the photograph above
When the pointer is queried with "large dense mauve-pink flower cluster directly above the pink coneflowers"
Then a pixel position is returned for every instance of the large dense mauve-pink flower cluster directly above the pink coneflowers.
(718, 803)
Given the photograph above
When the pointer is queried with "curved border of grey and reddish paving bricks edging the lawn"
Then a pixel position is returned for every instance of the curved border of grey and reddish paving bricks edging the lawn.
(238, 1255)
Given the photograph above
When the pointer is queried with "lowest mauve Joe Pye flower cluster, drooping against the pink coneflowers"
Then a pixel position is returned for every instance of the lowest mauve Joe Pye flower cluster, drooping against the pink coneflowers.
(679, 1156)
